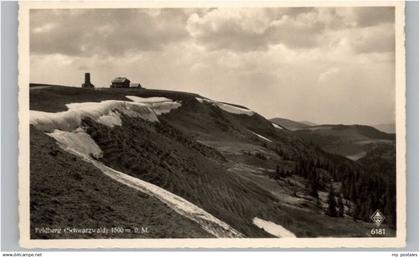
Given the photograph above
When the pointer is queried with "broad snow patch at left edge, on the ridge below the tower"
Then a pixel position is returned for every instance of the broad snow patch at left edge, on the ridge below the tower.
(105, 112)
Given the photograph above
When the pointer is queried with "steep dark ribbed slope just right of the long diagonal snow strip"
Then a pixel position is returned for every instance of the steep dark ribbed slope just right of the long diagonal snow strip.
(160, 155)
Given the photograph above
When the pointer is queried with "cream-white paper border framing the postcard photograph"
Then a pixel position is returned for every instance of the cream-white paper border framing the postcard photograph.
(23, 80)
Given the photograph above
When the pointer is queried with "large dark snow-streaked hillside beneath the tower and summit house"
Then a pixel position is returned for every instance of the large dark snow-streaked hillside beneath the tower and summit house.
(210, 168)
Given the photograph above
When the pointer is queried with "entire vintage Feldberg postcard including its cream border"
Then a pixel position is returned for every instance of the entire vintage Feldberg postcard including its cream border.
(211, 125)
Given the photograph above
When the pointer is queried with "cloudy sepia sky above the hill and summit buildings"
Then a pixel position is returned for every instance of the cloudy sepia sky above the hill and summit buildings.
(325, 65)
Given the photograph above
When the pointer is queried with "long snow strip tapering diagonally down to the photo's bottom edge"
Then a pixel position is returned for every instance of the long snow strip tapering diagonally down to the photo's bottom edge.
(80, 144)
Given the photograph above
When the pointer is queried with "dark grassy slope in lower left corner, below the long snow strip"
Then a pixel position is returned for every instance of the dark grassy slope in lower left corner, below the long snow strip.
(67, 192)
